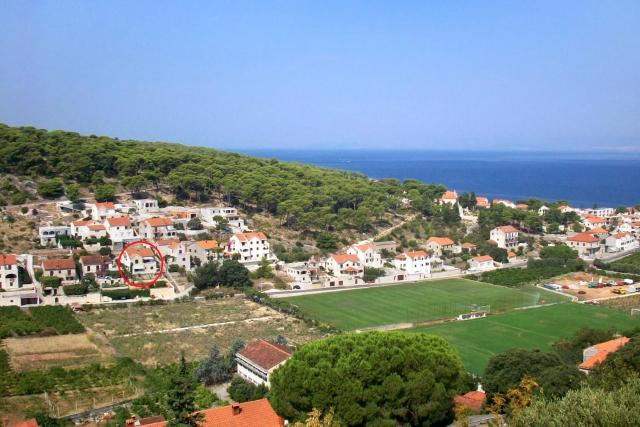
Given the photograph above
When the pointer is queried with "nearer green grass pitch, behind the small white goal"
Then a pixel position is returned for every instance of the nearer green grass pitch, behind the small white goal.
(477, 340)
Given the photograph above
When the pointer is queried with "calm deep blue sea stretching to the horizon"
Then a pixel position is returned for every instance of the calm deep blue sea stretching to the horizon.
(607, 179)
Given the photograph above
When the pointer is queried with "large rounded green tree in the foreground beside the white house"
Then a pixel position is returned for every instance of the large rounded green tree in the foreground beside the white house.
(376, 377)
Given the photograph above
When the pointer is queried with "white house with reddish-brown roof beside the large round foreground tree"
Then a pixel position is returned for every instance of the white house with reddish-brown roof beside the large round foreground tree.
(259, 359)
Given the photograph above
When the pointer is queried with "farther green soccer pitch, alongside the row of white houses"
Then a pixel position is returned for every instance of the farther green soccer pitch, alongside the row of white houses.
(355, 309)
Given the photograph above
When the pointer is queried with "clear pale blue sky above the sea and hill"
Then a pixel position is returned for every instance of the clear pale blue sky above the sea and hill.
(450, 74)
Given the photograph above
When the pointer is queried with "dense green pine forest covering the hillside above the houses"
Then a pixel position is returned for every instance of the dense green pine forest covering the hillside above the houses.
(304, 197)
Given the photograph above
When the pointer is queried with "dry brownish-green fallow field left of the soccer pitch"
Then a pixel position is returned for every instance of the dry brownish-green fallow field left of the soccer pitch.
(157, 334)
